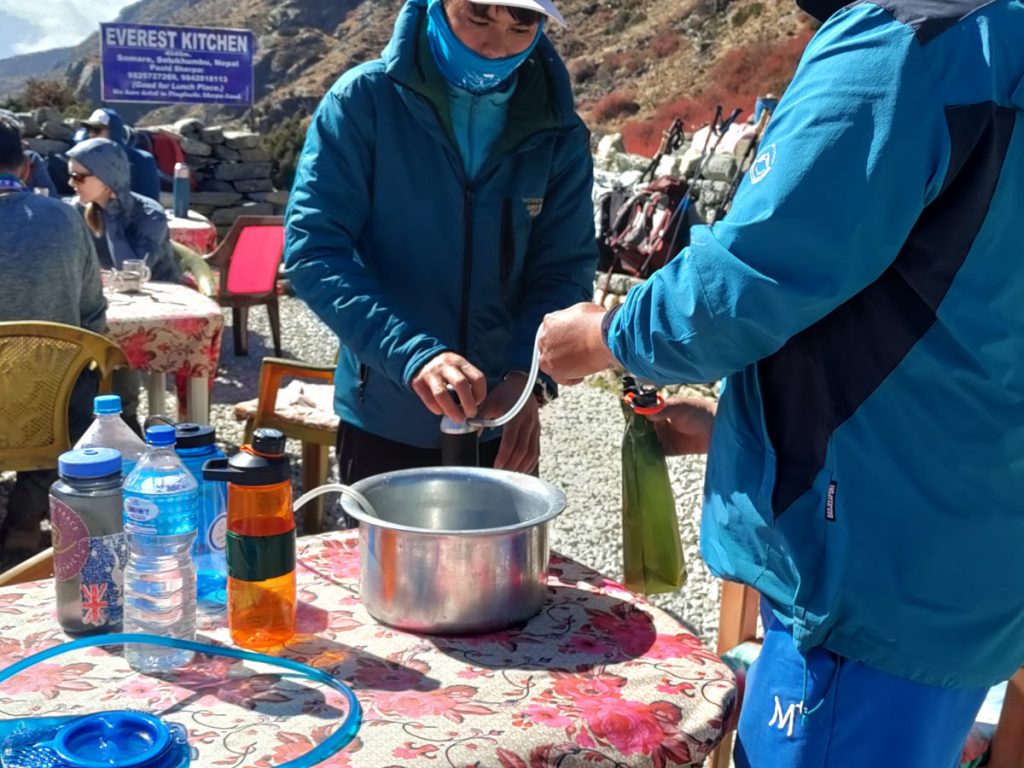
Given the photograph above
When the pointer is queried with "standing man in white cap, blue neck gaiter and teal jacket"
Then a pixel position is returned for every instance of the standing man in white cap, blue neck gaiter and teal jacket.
(442, 207)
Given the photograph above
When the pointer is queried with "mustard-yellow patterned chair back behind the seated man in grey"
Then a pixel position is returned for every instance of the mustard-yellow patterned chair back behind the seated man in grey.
(39, 365)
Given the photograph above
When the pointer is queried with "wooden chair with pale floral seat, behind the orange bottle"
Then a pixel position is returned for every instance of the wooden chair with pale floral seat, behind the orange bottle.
(304, 412)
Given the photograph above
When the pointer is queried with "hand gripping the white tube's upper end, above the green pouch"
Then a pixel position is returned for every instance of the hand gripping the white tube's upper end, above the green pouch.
(572, 346)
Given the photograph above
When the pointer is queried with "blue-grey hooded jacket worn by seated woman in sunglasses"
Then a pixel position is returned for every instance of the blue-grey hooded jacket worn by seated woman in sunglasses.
(135, 228)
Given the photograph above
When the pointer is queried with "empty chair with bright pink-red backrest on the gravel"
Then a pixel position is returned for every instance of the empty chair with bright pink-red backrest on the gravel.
(247, 261)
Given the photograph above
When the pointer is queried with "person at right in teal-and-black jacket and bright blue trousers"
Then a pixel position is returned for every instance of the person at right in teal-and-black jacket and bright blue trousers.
(865, 298)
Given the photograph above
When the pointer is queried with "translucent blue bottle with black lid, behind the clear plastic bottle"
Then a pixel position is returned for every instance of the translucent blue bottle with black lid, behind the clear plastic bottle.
(196, 445)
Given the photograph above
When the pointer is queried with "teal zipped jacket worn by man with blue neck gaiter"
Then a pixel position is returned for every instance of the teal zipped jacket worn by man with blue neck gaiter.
(404, 257)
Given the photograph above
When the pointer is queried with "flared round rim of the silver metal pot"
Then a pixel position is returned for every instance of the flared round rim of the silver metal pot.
(553, 497)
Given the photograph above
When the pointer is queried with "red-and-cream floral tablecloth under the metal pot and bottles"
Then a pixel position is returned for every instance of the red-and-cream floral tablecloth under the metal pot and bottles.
(599, 678)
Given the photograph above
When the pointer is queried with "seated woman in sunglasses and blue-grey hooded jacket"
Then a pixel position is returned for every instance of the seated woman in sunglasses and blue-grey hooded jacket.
(125, 226)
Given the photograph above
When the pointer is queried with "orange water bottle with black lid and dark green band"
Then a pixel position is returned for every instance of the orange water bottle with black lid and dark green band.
(261, 543)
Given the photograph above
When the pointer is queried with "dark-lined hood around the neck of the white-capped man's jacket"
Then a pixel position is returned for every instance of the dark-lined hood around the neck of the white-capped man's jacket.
(404, 62)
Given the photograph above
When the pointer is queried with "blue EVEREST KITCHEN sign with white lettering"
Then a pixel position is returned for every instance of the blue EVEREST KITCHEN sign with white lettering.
(177, 65)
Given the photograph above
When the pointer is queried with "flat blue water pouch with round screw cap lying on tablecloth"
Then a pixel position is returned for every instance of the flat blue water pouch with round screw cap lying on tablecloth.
(117, 740)
